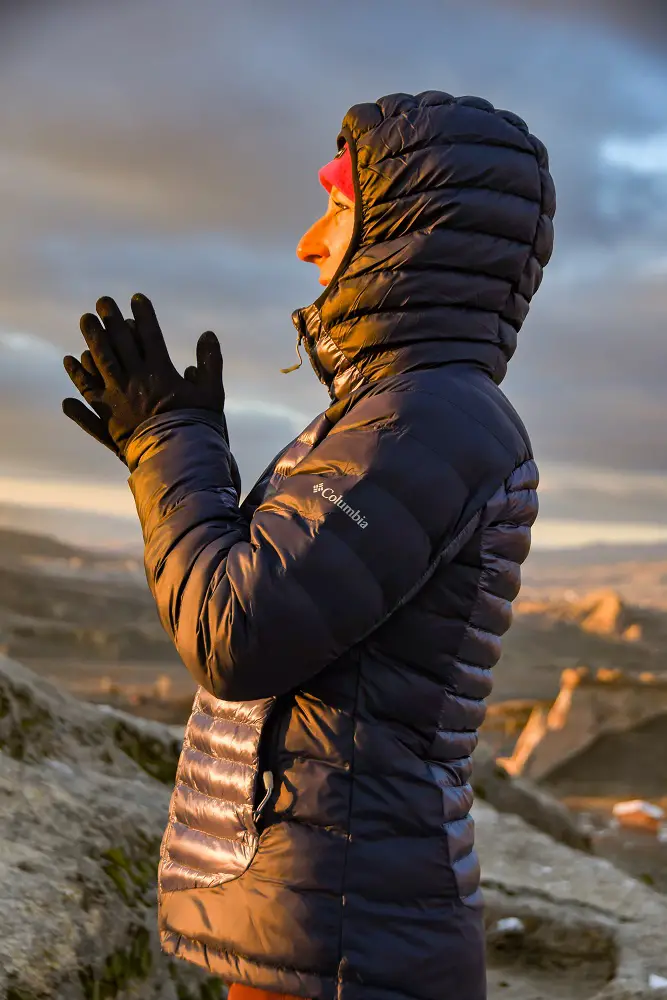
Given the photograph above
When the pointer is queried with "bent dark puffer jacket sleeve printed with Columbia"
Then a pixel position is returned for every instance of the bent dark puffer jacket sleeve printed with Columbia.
(257, 608)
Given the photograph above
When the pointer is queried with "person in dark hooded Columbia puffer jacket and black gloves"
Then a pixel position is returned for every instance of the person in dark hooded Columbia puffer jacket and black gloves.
(342, 622)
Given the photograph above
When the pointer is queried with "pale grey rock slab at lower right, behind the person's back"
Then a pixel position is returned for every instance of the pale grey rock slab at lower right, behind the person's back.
(562, 924)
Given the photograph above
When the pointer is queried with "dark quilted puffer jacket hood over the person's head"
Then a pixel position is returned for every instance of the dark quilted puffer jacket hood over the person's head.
(453, 226)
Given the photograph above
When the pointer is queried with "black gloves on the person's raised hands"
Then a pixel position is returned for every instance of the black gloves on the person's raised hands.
(127, 376)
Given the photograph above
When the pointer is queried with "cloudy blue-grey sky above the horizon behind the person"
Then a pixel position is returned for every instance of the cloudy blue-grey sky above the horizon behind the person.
(173, 148)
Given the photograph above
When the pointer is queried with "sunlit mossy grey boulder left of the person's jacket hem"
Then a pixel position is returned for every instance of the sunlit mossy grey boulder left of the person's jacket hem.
(83, 802)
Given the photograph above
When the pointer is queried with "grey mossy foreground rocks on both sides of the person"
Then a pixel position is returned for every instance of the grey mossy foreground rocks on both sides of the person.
(83, 802)
